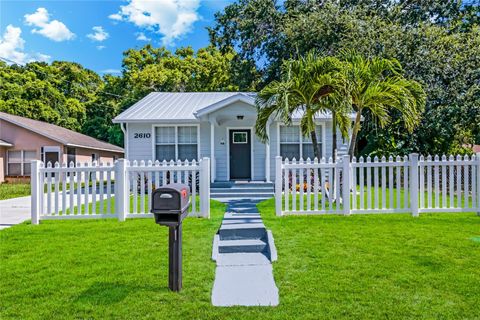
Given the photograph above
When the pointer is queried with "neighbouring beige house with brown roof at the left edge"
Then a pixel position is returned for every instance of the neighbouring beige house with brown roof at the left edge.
(23, 140)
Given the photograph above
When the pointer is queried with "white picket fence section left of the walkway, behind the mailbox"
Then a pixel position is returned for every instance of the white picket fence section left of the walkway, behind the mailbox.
(120, 190)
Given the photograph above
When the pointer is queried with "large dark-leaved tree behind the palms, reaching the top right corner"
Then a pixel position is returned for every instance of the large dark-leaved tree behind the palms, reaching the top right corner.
(436, 42)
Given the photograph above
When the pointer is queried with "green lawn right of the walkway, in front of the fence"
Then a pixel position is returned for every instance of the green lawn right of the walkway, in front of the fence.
(377, 266)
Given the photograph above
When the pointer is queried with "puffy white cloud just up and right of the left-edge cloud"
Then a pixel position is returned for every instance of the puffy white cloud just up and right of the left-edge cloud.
(54, 30)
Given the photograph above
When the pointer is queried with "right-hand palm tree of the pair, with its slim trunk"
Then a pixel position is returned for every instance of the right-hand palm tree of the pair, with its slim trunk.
(378, 85)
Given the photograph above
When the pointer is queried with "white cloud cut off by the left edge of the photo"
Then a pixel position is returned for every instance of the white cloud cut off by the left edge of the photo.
(12, 44)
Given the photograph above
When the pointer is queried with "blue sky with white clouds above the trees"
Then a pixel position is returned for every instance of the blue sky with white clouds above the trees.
(95, 33)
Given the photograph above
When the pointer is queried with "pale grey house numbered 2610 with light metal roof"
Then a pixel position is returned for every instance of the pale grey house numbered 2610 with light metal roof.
(219, 125)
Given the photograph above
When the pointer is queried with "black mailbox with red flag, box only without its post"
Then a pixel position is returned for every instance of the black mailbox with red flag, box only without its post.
(170, 204)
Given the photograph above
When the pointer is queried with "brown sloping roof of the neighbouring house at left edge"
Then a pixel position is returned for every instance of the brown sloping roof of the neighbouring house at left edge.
(64, 136)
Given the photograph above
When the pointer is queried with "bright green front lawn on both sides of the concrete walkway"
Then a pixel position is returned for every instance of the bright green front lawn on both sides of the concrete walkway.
(364, 266)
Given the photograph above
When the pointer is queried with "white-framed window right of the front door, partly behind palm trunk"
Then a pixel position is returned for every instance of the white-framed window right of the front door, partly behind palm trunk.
(294, 145)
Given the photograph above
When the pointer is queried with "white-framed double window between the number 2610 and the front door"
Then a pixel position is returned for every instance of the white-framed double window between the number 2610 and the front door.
(176, 143)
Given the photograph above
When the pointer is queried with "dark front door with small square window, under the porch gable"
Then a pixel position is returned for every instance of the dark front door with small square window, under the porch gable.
(240, 154)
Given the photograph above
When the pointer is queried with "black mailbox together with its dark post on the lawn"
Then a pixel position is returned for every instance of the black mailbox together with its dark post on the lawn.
(170, 205)
